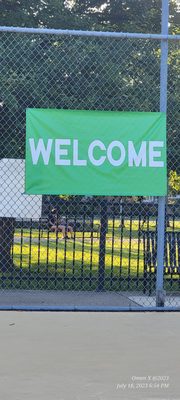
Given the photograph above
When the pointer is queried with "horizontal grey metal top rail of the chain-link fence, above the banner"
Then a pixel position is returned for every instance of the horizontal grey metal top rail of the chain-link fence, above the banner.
(69, 32)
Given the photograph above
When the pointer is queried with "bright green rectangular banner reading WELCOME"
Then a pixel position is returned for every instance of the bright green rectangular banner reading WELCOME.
(83, 152)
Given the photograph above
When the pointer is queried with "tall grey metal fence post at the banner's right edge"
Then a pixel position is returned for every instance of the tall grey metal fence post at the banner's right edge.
(162, 200)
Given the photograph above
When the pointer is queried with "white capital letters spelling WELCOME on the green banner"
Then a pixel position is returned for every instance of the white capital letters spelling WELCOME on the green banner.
(66, 152)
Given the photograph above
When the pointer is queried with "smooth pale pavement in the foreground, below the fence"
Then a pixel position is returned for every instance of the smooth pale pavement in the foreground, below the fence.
(89, 356)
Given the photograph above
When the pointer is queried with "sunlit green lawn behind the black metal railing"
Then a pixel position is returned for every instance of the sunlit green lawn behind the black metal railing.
(49, 262)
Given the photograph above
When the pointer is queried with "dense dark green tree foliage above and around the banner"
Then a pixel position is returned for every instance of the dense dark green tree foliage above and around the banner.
(76, 72)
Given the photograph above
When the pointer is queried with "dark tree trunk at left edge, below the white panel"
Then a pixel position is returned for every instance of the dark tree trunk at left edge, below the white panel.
(7, 227)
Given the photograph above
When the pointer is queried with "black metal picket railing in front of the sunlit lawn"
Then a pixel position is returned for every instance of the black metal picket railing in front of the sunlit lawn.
(106, 251)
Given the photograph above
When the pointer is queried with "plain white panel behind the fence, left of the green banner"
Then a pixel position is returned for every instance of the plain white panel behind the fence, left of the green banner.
(13, 202)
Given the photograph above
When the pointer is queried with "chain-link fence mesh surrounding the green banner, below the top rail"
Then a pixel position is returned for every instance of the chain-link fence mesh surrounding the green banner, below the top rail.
(76, 251)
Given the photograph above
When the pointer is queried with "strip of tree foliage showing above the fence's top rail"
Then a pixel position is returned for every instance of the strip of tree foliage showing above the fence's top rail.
(116, 15)
